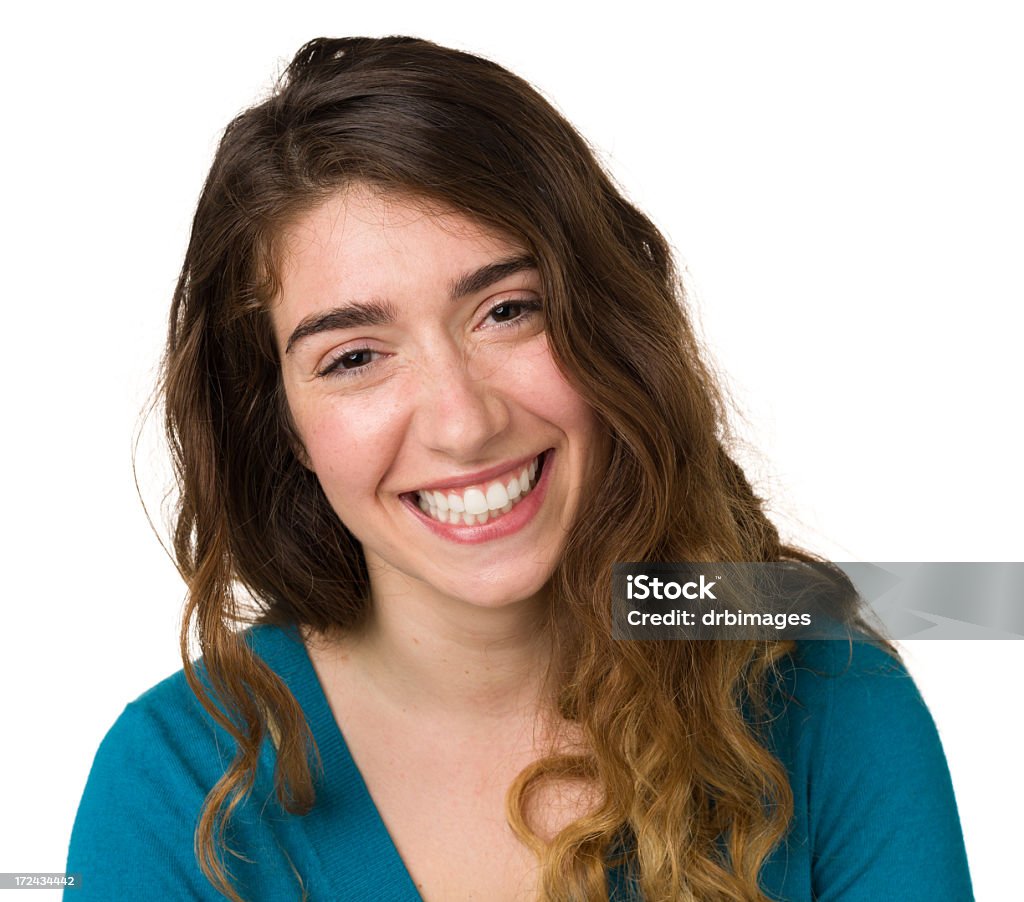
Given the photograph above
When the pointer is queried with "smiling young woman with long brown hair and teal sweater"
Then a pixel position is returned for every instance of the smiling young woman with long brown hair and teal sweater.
(429, 377)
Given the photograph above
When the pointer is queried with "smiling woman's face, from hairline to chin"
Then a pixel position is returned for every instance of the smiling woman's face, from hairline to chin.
(419, 378)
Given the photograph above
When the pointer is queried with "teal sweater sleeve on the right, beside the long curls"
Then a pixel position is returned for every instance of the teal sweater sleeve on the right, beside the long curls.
(883, 817)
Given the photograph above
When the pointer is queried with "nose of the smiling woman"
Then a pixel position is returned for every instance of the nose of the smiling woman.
(460, 409)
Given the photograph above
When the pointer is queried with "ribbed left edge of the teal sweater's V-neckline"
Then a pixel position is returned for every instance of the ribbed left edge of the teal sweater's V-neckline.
(356, 852)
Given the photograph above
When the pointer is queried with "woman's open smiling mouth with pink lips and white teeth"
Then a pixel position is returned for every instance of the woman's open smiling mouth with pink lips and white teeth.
(501, 505)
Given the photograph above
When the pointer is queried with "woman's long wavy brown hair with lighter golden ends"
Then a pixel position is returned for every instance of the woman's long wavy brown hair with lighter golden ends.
(691, 797)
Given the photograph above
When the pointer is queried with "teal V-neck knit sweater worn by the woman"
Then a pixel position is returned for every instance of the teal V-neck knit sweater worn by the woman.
(875, 819)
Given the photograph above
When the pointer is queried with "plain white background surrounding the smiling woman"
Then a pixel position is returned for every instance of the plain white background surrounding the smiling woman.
(843, 182)
